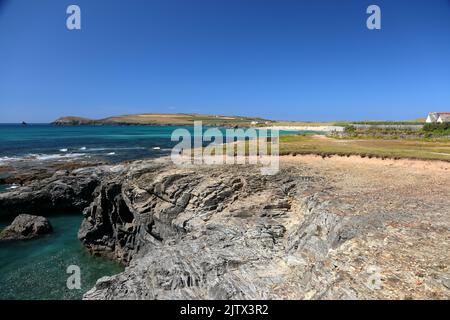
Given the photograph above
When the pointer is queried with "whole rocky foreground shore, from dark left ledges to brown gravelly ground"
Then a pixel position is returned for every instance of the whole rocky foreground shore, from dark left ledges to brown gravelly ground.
(316, 230)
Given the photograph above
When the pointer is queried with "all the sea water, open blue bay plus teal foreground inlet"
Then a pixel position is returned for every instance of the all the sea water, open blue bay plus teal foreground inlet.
(37, 269)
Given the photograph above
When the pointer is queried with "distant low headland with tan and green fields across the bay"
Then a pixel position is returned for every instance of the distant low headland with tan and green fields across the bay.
(164, 119)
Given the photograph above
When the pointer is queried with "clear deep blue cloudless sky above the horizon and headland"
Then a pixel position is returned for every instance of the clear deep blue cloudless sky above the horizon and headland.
(293, 60)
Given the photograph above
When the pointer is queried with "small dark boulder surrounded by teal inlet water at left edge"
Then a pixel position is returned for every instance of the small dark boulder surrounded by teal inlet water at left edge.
(26, 226)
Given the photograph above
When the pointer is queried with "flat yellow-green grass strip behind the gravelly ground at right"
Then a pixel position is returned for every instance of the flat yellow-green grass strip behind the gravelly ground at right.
(313, 144)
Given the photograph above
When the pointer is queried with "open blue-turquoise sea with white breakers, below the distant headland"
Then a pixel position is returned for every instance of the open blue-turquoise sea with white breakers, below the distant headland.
(110, 143)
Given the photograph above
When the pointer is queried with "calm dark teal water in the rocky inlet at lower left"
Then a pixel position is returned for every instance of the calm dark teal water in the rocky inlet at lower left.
(36, 269)
